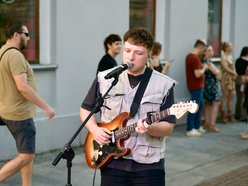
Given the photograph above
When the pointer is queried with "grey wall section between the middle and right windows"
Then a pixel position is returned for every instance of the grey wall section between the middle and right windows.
(178, 27)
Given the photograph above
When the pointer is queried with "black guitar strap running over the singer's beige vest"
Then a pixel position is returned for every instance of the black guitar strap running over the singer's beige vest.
(140, 92)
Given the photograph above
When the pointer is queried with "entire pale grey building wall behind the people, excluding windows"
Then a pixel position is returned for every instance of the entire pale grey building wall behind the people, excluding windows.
(71, 44)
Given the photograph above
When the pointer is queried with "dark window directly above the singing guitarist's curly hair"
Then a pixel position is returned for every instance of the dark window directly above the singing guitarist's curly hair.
(142, 13)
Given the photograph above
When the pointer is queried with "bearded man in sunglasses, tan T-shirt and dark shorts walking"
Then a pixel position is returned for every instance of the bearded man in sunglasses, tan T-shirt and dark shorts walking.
(18, 99)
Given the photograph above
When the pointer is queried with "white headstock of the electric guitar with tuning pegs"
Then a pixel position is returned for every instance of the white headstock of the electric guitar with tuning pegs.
(179, 109)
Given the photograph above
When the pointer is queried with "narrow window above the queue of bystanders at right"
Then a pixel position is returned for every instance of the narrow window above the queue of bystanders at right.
(214, 25)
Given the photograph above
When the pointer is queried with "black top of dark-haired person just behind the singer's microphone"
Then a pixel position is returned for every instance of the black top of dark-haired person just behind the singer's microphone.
(106, 63)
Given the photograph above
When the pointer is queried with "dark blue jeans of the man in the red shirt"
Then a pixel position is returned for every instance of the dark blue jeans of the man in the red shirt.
(193, 119)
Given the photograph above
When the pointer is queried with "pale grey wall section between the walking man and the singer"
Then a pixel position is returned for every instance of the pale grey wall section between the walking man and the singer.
(71, 38)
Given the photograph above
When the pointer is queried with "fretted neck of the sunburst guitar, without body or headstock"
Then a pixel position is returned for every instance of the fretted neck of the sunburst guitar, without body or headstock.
(128, 130)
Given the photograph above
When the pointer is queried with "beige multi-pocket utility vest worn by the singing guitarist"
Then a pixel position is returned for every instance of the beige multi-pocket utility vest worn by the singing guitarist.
(144, 148)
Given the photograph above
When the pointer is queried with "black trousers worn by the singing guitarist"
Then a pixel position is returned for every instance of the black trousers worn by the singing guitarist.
(115, 177)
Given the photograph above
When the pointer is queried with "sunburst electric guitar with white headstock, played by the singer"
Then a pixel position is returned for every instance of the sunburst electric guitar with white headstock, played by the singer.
(98, 156)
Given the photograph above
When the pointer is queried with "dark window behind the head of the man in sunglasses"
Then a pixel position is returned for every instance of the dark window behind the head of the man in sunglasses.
(27, 11)
